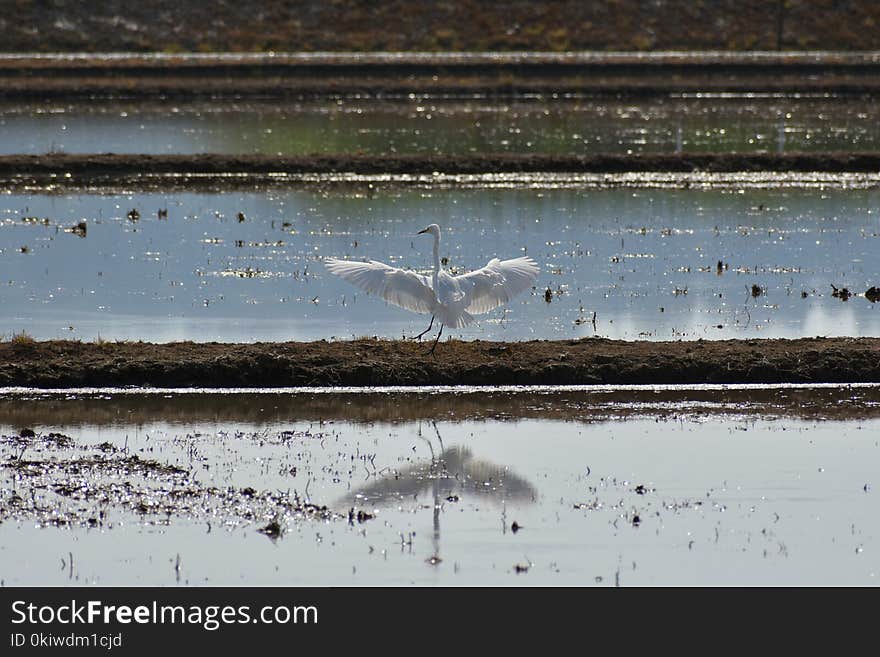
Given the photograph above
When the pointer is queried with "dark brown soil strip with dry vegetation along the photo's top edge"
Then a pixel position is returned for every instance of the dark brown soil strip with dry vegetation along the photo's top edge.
(361, 25)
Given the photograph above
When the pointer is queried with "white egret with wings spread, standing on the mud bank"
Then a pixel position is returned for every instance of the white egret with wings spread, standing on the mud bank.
(453, 300)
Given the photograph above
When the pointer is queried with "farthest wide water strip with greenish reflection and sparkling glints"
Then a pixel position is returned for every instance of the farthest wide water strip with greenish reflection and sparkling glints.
(744, 123)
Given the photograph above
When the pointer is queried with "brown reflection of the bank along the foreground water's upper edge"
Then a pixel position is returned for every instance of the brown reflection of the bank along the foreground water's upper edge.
(43, 411)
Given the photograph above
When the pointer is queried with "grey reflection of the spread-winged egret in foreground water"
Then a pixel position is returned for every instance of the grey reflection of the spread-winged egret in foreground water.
(450, 476)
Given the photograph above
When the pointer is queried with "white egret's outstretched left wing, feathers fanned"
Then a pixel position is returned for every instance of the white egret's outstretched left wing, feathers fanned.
(402, 288)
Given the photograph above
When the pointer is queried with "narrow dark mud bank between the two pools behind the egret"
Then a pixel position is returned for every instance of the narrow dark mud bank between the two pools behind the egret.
(84, 169)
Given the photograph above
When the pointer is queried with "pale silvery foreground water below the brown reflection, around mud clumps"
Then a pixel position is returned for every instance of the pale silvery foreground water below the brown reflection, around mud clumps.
(650, 499)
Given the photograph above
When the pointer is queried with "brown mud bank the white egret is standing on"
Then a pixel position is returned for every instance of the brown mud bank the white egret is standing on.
(367, 362)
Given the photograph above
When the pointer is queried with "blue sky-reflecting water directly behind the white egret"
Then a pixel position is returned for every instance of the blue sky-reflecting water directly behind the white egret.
(644, 261)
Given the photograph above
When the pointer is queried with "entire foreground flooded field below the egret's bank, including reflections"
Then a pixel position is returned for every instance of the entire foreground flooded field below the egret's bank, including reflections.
(627, 486)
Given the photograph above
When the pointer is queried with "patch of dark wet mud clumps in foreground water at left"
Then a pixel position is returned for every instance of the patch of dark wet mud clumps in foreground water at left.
(60, 483)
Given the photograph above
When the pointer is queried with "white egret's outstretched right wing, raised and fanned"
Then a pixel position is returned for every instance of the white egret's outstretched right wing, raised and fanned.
(497, 283)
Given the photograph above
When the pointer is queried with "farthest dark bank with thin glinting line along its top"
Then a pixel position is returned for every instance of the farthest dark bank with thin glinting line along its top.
(304, 75)
